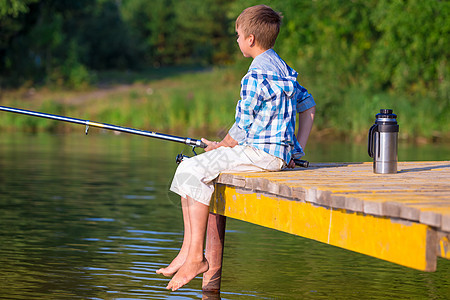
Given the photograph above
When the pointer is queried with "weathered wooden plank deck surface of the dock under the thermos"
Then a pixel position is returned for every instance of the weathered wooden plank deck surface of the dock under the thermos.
(354, 186)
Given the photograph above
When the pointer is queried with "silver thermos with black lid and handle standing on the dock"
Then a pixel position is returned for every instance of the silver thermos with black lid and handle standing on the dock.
(382, 143)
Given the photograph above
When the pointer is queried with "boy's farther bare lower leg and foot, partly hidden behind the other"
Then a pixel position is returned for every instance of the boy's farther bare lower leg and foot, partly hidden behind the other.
(179, 260)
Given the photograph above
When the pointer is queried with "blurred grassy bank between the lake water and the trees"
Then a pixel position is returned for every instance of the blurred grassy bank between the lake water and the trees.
(202, 102)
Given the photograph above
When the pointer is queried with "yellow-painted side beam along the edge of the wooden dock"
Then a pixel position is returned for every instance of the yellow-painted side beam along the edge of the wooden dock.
(402, 242)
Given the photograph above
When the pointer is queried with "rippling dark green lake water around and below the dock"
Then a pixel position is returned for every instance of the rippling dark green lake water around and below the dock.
(91, 218)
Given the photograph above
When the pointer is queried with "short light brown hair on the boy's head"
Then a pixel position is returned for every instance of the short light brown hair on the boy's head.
(261, 21)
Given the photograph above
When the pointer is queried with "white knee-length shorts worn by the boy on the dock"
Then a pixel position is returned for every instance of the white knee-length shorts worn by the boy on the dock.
(194, 176)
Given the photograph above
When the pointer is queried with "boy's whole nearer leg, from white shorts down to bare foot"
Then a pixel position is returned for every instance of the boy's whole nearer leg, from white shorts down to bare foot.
(194, 177)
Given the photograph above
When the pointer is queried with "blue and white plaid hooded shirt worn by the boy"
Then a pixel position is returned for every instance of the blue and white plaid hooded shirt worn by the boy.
(270, 99)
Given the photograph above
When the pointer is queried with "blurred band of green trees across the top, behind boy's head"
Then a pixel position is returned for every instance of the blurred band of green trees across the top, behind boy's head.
(389, 45)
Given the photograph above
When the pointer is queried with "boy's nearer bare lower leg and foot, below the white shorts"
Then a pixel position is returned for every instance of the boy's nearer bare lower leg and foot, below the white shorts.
(195, 263)
